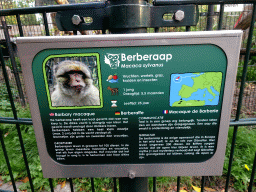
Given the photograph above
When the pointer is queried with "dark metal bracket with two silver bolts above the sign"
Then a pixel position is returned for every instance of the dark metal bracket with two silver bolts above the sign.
(114, 16)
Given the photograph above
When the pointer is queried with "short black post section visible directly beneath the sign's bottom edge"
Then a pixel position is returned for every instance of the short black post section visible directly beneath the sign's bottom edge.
(138, 184)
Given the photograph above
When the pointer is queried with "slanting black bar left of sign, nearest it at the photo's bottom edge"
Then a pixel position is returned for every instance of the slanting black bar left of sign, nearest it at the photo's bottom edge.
(16, 117)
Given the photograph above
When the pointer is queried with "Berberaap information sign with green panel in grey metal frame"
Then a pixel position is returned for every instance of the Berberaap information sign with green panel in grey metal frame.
(153, 104)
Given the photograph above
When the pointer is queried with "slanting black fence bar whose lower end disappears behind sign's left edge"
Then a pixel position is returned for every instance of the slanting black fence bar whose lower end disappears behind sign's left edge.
(14, 65)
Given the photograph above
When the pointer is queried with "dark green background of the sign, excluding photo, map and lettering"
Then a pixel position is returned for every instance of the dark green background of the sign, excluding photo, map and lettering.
(185, 59)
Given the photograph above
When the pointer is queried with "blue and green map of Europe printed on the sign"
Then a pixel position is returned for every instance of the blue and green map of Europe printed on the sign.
(195, 89)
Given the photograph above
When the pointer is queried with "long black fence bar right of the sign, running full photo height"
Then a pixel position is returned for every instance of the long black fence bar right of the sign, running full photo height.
(240, 99)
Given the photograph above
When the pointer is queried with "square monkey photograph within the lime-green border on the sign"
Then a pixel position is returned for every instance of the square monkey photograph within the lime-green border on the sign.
(72, 82)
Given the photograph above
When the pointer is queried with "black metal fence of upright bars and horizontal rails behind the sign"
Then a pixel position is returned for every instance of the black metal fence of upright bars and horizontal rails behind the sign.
(236, 122)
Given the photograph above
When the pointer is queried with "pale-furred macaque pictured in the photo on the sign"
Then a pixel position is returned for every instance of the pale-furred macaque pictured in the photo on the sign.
(74, 85)
